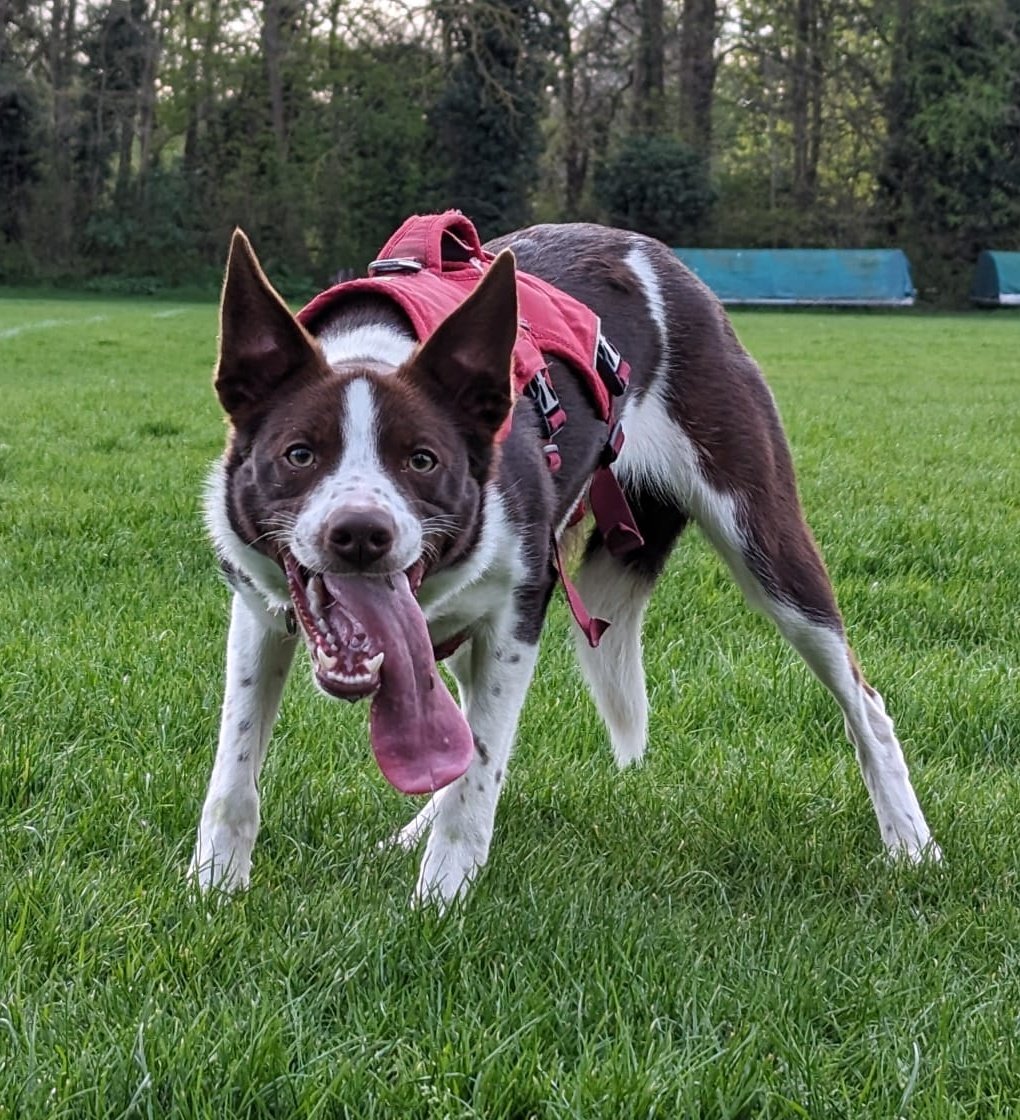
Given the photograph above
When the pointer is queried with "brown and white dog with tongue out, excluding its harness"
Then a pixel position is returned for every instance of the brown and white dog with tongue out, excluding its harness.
(364, 509)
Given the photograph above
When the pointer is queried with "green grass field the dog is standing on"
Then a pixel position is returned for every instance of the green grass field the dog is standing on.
(716, 935)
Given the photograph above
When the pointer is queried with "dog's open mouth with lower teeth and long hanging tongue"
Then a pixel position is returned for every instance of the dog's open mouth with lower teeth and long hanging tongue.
(368, 637)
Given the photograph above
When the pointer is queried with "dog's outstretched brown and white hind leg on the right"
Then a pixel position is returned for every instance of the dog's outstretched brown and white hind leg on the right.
(744, 497)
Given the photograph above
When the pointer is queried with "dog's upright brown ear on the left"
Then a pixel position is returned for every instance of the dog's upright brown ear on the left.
(260, 342)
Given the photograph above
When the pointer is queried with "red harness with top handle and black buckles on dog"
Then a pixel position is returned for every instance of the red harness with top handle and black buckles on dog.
(428, 268)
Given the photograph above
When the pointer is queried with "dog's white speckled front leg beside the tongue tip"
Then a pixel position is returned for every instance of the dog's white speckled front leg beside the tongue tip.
(500, 670)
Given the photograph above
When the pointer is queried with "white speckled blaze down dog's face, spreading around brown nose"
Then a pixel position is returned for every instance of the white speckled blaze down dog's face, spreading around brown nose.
(359, 484)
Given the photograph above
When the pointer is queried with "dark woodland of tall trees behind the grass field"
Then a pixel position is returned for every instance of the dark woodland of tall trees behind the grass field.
(136, 134)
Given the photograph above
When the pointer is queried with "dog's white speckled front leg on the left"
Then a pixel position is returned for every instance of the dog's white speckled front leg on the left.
(259, 654)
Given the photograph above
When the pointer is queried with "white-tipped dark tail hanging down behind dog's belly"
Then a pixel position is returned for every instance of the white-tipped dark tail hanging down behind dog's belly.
(617, 589)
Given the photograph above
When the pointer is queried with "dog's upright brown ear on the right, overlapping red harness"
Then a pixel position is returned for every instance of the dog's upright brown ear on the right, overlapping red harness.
(467, 360)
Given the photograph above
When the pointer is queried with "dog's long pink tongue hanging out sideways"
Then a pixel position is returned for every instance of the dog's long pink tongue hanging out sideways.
(419, 735)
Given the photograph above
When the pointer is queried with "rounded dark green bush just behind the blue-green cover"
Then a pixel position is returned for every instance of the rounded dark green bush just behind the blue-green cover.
(657, 185)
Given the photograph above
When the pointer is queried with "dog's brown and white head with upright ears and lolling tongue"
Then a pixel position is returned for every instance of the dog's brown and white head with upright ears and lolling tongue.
(359, 481)
